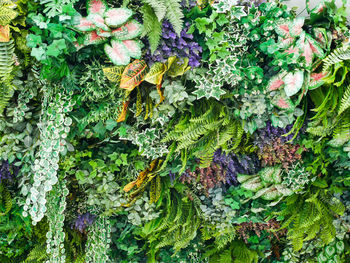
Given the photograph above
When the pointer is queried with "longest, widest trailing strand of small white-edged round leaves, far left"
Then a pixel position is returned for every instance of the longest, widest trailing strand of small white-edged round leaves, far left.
(55, 127)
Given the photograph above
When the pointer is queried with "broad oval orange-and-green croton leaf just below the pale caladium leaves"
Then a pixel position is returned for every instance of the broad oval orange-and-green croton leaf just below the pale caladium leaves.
(133, 75)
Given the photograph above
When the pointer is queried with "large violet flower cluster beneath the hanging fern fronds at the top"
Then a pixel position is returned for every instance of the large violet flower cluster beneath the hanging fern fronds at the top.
(173, 45)
